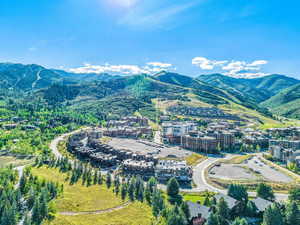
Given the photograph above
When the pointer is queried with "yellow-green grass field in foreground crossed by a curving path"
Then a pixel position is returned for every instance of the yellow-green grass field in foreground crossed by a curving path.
(78, 198)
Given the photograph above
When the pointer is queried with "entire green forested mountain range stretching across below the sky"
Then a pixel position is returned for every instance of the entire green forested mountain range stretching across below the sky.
(278, 94)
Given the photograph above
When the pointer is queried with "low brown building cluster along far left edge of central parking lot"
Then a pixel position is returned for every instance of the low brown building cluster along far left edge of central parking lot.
(129, 127)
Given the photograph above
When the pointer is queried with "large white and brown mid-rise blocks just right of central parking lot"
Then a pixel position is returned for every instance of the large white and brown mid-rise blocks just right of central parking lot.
(210, 140)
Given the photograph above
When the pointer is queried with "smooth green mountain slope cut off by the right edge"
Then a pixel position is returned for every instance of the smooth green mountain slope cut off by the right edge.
(286, 102)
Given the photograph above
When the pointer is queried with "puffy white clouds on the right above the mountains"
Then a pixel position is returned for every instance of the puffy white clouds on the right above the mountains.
(240, 69)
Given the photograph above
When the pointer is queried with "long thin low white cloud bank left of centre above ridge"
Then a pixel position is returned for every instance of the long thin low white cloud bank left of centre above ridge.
(149, 68)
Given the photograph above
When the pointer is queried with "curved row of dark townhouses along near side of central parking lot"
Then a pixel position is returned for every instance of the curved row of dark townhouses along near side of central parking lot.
(87, 145)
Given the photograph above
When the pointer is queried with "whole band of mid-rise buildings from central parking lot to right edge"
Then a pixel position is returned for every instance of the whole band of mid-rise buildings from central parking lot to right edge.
(283, 143)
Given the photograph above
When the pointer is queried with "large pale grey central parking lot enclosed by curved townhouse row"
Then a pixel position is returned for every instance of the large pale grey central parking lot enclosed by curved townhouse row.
(147, 147)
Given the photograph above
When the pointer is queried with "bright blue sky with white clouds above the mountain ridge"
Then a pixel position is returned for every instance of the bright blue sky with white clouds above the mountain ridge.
(244, 38)
